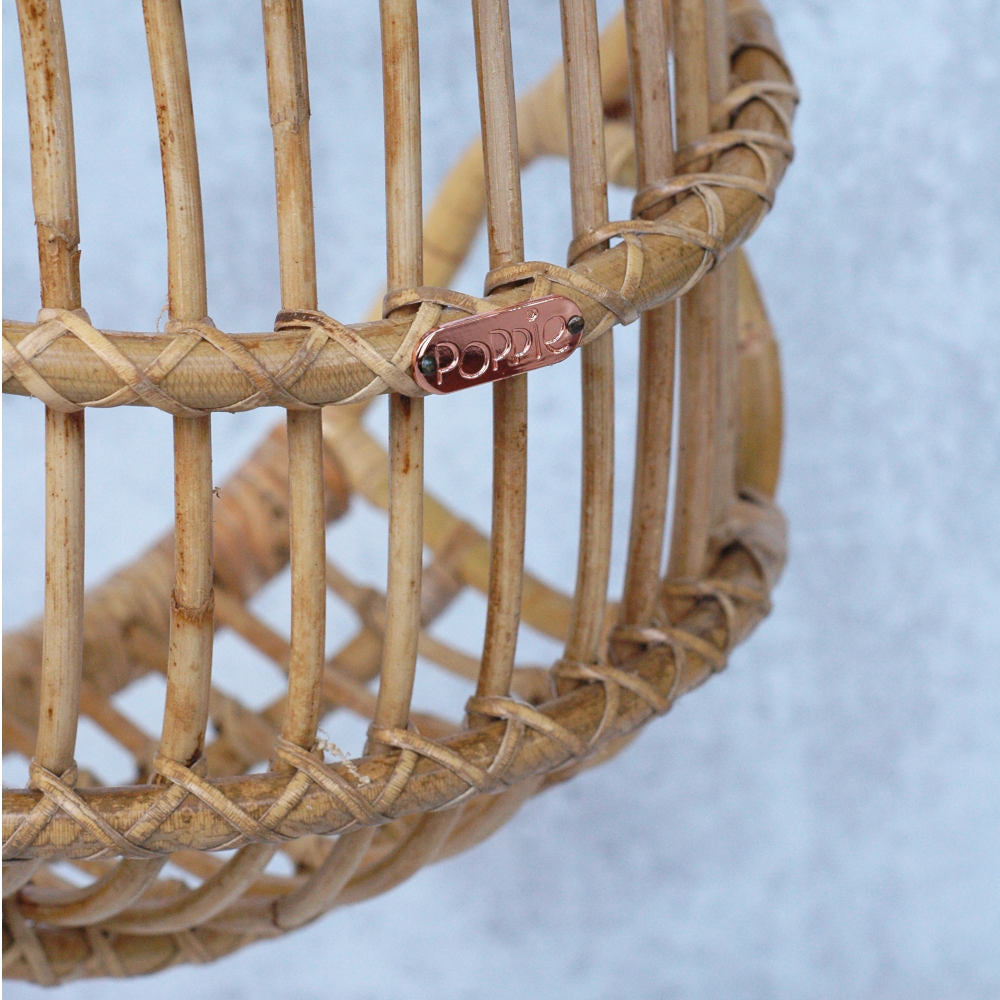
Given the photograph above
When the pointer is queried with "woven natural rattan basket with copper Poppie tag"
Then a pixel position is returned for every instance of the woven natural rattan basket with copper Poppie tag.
(688, 104)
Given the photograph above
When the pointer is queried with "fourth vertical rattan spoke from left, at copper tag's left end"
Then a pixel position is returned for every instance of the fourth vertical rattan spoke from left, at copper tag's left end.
(404, 269)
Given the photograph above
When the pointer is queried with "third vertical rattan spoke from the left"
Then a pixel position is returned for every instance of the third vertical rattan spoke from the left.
(288, 100)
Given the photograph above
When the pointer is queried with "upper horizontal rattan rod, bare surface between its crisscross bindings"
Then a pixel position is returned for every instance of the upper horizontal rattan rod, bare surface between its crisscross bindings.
(209, 379)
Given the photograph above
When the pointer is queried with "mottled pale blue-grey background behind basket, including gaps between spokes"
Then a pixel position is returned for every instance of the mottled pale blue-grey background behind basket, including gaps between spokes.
(828, 822)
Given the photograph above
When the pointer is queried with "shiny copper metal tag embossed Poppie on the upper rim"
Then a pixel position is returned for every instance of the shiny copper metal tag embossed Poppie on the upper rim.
(496, 345)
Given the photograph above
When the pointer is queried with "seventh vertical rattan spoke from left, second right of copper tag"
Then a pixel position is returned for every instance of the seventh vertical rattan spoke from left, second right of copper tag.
(648, 41)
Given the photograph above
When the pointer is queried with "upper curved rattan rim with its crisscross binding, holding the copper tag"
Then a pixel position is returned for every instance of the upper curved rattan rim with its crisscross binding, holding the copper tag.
(72, 365)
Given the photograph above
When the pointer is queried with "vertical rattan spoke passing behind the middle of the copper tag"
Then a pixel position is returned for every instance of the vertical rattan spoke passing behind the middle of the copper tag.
(494, 62)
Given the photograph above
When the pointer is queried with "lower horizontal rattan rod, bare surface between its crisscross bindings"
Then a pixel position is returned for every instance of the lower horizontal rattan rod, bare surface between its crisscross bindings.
(194, 825)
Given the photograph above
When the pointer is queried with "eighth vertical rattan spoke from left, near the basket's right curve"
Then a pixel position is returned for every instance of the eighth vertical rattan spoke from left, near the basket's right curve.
(699, 325)
